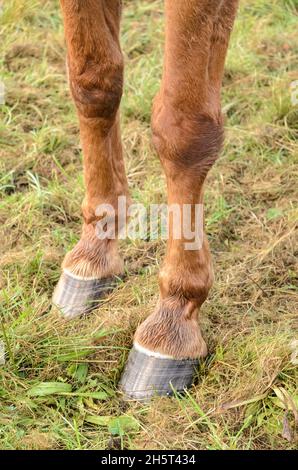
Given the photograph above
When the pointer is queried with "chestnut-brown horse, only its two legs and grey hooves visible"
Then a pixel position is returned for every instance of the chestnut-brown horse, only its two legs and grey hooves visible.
(187, 132)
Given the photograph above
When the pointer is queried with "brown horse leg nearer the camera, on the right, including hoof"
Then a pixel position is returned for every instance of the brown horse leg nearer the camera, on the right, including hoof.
(188, 133)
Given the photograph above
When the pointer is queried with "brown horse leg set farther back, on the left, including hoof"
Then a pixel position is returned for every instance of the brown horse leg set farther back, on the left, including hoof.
(95, 67)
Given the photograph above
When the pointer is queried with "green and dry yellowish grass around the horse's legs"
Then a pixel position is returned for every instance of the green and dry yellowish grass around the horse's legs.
(58, 387)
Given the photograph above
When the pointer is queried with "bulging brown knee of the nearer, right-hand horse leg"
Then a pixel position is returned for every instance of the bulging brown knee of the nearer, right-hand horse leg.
(190, 141)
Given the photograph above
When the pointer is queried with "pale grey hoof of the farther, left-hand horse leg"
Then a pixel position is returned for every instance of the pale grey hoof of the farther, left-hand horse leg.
(75, 296)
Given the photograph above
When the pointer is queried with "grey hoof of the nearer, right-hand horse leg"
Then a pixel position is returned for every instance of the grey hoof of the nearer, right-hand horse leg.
(148, 375)
